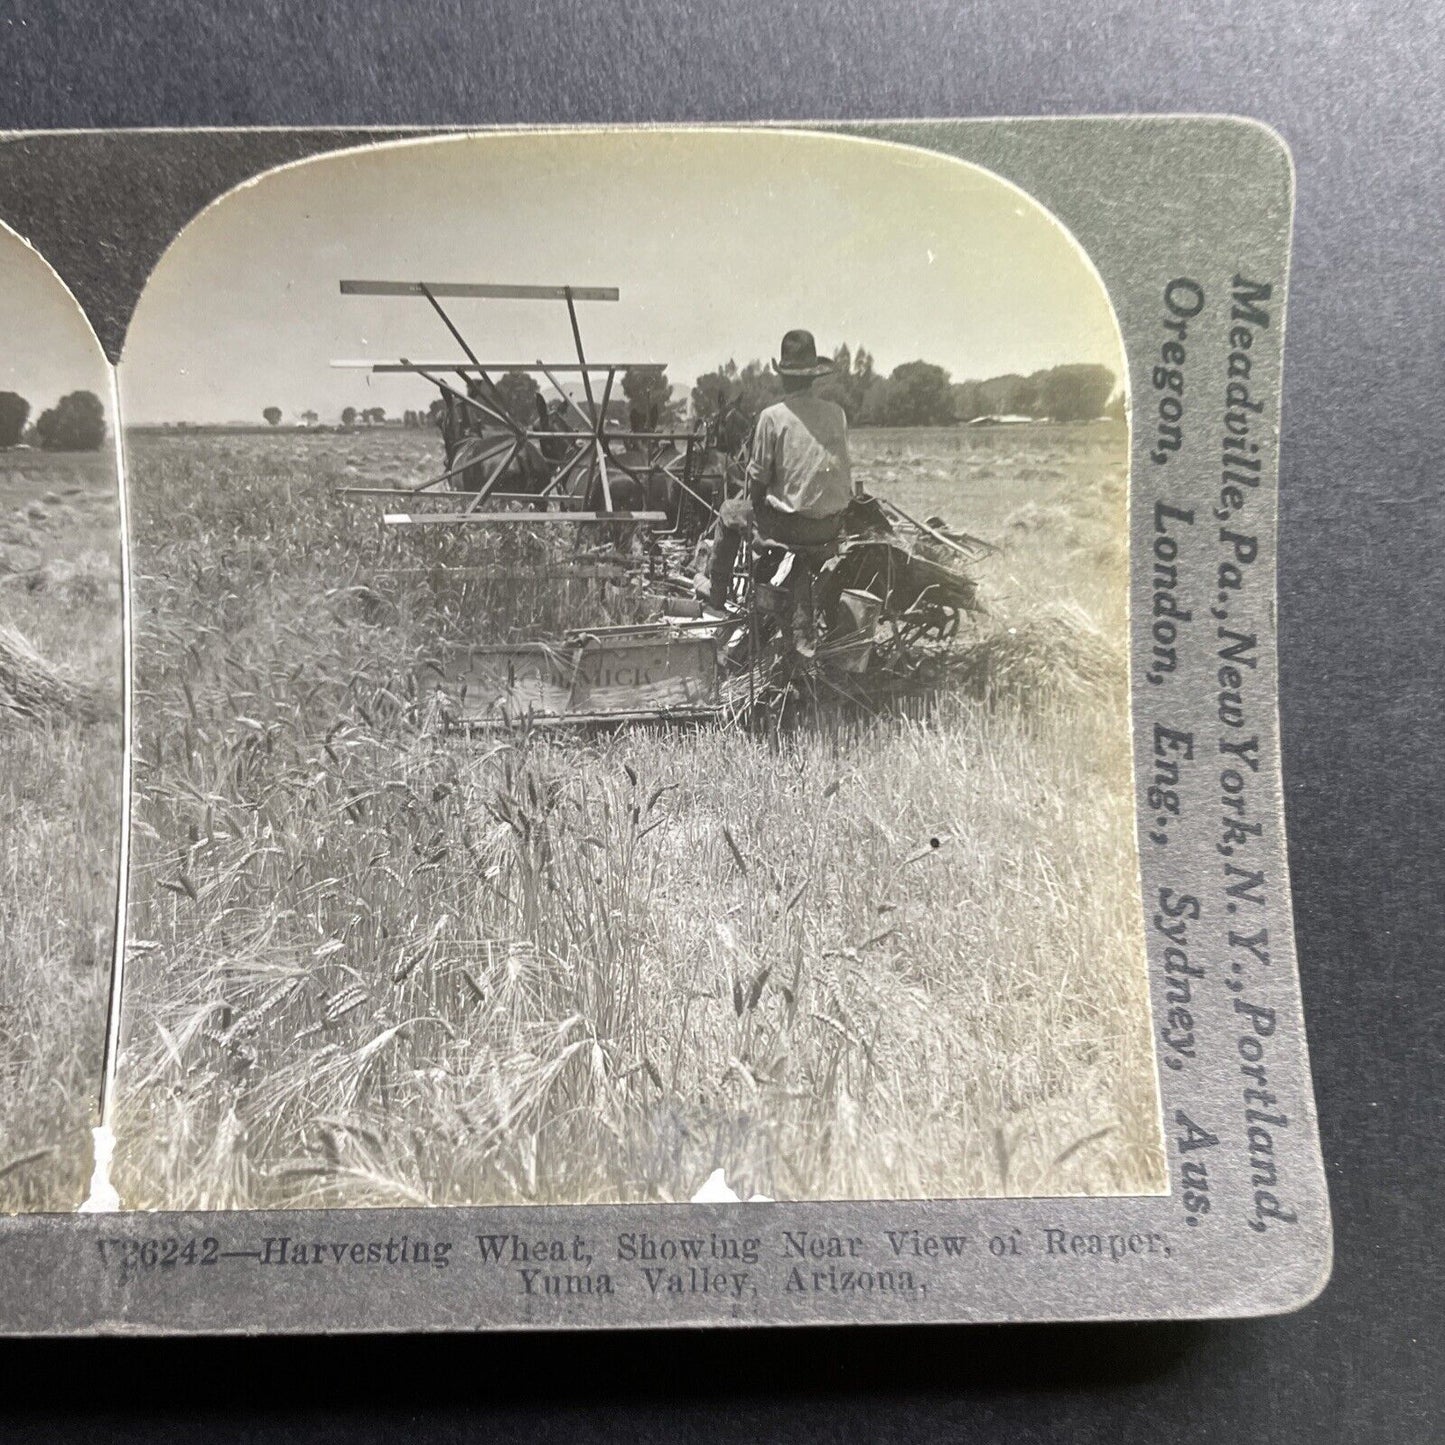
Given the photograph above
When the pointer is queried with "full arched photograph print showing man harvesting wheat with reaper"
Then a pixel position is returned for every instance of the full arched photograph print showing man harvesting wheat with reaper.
(632, 687)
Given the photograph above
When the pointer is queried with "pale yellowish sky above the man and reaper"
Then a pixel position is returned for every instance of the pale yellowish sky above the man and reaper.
(719, 243)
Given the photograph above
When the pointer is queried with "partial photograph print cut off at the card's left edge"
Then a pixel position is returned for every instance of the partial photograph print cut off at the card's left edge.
(61, 742)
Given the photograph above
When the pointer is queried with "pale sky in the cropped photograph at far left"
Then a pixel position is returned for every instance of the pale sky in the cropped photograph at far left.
(47, 346)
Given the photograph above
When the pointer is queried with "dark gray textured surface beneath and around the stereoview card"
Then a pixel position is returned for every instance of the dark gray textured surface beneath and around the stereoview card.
(1358, 92)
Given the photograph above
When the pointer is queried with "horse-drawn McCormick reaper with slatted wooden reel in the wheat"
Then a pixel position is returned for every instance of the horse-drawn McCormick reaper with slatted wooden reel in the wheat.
(885, 600)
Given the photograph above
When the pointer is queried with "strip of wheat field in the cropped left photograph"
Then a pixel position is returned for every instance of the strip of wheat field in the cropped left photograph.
(60, 817)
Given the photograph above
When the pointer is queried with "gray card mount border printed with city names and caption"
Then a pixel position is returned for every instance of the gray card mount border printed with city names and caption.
(1152, 200)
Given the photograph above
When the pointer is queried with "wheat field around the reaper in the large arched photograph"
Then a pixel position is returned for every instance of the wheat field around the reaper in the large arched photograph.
(371, 963)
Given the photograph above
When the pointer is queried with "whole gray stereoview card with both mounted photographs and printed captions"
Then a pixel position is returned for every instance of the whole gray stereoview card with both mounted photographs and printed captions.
(703, 738)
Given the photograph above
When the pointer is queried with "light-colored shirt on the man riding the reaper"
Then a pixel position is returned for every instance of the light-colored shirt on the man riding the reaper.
(800, 459)
